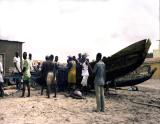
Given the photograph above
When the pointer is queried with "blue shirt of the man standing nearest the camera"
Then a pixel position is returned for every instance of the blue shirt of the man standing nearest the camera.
(99, 70)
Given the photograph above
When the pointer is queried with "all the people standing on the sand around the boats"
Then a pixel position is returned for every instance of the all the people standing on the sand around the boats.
(78, 73)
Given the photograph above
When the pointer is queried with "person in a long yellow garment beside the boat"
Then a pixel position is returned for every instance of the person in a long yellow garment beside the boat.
(71, 74)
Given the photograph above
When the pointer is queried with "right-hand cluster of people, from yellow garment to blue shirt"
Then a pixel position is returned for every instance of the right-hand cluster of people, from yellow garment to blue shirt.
(80, 68)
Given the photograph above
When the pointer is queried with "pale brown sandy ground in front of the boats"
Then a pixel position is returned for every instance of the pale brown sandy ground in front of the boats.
(121, 107)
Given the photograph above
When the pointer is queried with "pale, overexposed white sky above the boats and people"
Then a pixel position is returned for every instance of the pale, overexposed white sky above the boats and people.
(69, 27)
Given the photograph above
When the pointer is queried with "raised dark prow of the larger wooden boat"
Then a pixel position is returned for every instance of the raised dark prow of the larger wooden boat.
(124, 61)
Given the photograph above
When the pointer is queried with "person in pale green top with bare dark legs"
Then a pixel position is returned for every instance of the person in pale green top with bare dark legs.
(26, 75)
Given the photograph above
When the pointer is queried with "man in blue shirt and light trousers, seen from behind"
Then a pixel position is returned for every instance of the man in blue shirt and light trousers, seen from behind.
(99, 81)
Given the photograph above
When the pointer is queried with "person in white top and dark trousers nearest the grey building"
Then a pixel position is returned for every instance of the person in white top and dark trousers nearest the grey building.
(17, 70)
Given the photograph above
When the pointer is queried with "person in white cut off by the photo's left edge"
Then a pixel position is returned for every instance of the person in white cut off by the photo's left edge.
(1, 80)
